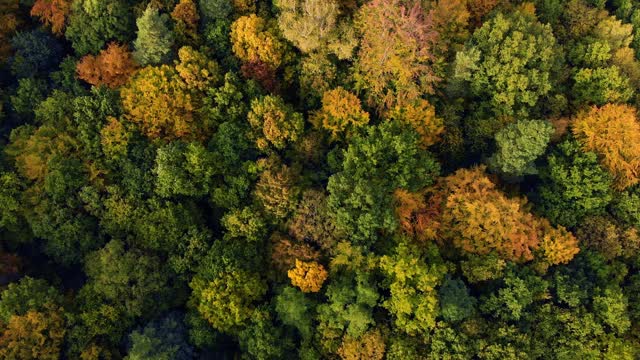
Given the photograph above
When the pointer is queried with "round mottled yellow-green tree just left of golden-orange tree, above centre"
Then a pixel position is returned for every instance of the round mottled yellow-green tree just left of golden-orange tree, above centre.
(274, 122)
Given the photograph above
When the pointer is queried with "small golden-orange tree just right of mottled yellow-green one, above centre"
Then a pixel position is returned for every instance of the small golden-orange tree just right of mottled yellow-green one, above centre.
(341, 113)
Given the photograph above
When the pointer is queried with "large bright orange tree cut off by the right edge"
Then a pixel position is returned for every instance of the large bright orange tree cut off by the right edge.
(612, 132)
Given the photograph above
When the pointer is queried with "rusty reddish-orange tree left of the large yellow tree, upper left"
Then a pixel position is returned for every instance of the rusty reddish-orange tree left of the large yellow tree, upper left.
(112, 67)
